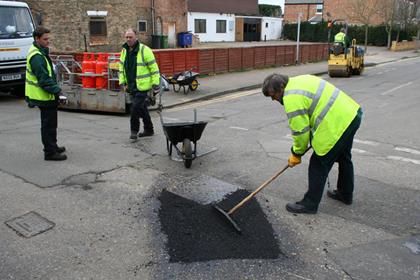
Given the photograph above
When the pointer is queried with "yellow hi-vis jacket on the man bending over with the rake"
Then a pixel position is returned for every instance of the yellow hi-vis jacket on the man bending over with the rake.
(318, 113)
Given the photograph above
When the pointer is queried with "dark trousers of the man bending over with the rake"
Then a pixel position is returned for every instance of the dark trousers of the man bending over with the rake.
(320, 166)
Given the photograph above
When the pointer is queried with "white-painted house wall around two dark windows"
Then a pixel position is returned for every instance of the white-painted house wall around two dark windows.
(211, 35)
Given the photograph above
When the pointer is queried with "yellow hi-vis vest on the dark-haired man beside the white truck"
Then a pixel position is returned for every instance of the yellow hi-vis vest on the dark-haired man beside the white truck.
(32, 88)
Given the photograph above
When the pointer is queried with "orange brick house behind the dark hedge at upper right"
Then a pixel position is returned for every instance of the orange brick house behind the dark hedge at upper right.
(320, 10)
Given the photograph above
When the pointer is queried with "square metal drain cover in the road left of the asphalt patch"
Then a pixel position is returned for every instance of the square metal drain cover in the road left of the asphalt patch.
(30, 224)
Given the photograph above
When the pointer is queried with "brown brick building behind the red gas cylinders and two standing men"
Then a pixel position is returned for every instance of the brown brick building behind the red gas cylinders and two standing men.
(99, 25)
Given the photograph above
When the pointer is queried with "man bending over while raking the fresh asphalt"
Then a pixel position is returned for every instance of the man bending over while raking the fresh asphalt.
(324, 117)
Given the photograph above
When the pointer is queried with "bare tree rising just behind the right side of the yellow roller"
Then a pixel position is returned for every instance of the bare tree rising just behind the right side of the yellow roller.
(363, 11)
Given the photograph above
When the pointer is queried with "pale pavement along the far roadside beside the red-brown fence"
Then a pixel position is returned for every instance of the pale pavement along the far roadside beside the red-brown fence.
(219, 84)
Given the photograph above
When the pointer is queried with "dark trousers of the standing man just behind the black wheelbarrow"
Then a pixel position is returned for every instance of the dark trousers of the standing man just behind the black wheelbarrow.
(139, 110)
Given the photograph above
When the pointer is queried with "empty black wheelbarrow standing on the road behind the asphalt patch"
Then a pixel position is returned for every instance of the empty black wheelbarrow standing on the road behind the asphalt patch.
(182, 136)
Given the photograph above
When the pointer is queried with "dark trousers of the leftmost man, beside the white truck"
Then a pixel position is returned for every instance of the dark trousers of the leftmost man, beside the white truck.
(49, 129)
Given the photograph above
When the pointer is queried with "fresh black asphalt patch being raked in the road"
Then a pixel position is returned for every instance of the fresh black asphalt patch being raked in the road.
(197, 233)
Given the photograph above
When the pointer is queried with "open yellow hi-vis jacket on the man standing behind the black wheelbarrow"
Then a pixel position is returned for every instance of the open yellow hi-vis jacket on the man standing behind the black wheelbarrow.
(147, 72)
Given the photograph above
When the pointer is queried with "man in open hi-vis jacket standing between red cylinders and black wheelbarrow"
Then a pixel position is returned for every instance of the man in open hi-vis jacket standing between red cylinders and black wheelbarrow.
(138, 74)
